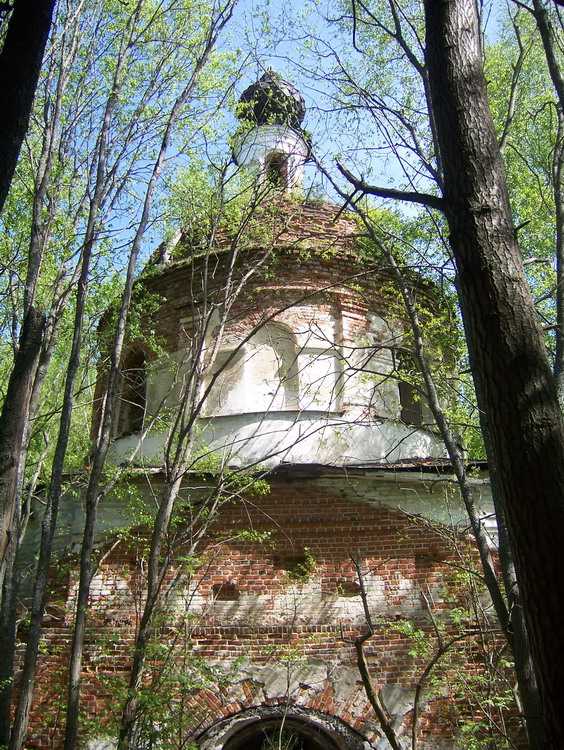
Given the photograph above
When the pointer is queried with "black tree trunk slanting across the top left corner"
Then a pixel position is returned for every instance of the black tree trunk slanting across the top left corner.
(20, 64)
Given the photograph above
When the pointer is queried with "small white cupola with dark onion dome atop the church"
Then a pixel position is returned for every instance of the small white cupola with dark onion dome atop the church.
(272, 142)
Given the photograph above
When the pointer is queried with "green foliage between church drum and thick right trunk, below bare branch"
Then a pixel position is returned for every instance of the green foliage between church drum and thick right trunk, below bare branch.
(418, 253)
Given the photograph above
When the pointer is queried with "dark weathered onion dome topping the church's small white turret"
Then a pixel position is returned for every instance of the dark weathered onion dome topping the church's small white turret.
(271, 100)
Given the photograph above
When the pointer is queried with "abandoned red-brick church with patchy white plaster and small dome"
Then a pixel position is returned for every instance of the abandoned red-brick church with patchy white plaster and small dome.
(350, 527)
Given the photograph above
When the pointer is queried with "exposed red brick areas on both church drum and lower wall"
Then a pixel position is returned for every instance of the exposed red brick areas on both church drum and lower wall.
(248, 602)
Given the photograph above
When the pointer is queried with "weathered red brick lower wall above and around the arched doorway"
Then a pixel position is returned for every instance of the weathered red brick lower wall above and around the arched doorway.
(277, 633)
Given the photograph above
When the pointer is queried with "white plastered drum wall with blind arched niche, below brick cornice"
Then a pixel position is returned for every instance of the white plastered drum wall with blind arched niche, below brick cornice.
(313, 386)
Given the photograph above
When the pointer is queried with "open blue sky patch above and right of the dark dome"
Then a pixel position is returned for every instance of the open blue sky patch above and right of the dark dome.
(296, 40)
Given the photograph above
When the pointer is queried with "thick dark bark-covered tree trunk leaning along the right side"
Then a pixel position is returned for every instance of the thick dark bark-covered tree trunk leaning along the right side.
(514, 384)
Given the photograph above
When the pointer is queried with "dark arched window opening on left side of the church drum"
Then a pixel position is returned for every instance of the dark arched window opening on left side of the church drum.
(133, 394)
